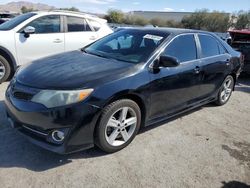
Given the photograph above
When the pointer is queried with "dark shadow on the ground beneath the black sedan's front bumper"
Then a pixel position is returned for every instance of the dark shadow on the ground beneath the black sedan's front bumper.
(16, 151)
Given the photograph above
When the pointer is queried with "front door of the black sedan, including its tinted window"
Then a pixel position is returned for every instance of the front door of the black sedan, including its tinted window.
(175, 88)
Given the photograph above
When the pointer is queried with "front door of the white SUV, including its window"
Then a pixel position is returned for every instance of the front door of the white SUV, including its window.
(47, 39)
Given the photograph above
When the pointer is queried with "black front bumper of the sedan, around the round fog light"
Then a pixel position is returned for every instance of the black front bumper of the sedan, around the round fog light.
(37, 123)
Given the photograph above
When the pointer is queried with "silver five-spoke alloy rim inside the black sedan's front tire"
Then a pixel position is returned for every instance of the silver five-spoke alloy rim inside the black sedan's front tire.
(121, 126)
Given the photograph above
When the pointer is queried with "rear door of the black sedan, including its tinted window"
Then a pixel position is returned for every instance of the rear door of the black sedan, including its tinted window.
(214, 64)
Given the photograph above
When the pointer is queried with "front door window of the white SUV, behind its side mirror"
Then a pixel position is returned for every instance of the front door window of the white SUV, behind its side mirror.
(46, 24)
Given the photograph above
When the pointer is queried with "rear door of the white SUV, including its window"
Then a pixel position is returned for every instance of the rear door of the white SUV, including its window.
(78, 33)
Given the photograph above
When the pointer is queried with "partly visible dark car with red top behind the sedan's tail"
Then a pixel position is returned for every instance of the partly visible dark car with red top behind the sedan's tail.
(240, 41)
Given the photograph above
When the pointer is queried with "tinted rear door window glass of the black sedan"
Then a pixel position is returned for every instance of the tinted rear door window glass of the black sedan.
(209, 46)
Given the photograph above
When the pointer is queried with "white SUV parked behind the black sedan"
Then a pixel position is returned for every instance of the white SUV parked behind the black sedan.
(38, 34)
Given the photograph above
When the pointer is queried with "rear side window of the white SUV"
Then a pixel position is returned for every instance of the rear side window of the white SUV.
(76, 24)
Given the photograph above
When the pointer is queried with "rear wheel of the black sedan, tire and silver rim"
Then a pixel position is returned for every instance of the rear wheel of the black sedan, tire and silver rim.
(225, 91)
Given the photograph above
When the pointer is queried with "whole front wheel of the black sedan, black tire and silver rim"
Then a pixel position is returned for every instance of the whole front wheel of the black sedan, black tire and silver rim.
(118, 125)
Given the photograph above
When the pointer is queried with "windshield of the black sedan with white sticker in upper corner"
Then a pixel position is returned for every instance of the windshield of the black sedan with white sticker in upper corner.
(130, 45)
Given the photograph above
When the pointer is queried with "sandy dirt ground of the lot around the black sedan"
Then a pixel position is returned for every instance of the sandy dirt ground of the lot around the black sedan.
(209, 147)
